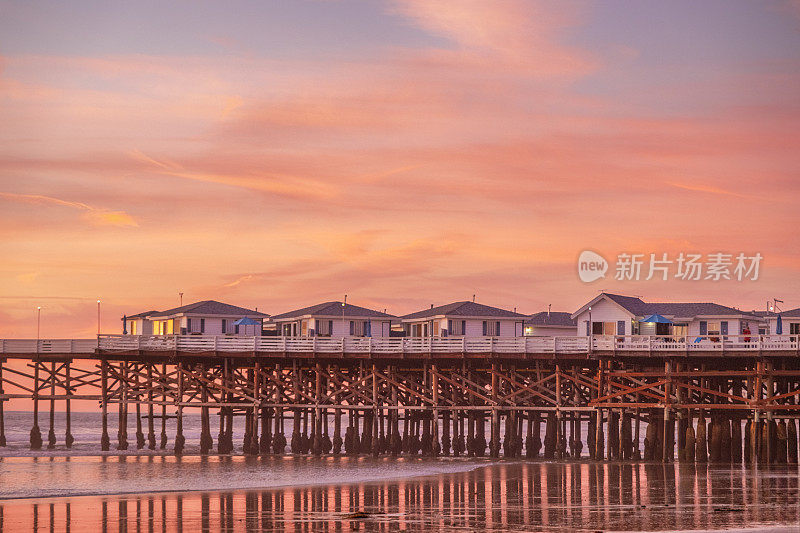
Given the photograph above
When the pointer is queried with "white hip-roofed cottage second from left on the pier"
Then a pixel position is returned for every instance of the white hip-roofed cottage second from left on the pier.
(334, 319)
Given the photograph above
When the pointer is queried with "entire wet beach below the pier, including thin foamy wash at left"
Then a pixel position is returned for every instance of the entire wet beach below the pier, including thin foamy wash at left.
(162, 493)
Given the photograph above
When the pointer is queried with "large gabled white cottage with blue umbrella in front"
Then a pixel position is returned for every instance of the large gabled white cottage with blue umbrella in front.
(614, 314)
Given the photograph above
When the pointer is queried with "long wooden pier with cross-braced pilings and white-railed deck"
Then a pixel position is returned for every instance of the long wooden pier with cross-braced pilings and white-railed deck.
(696, 399)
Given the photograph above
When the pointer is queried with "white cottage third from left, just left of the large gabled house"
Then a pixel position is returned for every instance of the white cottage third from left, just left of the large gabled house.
(468, 319)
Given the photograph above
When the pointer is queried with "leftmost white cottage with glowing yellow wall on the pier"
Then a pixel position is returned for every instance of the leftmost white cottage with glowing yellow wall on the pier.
(208, 317)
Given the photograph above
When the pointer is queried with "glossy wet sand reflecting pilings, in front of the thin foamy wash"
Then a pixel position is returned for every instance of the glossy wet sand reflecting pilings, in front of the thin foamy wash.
(507, 496)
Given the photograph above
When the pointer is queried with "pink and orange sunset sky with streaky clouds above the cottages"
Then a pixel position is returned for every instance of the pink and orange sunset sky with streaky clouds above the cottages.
(402, 152)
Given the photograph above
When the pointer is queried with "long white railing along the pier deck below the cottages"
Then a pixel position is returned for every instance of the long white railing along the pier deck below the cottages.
(629, 344)
